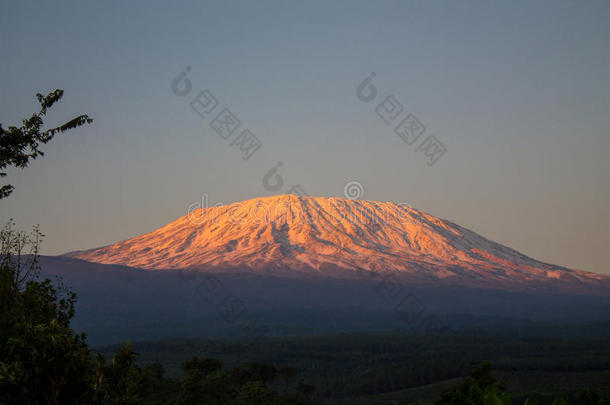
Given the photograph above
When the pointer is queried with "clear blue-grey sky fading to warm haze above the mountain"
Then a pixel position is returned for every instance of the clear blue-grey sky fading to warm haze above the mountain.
(516, 92)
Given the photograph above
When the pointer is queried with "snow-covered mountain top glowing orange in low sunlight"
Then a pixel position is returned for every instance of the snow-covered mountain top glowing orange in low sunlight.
(295, 236)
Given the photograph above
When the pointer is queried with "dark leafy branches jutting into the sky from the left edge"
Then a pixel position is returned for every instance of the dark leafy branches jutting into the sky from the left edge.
(20, 144)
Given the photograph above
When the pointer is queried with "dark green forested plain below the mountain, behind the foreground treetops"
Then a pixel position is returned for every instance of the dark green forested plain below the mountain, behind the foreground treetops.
(390, 367)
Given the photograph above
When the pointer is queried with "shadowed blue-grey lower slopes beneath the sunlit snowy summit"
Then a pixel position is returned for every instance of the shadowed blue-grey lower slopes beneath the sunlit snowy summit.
(118, 303)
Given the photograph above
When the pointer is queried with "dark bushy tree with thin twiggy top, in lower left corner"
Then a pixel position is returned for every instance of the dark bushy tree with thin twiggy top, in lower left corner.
(41, 359)
